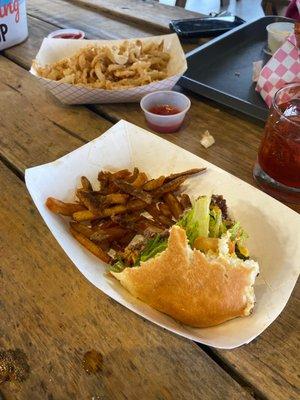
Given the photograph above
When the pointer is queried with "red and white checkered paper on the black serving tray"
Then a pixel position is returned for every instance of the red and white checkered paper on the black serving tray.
(282, 68)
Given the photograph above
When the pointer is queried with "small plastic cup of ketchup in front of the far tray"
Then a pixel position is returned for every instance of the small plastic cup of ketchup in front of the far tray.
(165, 110)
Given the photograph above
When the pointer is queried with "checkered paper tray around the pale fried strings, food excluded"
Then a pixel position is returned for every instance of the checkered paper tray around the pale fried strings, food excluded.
(53, 50)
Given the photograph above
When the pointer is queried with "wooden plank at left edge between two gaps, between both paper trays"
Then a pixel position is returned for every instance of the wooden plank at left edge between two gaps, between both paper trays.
(35, 129)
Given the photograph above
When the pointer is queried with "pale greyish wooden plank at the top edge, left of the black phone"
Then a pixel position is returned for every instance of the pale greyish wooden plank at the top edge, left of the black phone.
(146, 13)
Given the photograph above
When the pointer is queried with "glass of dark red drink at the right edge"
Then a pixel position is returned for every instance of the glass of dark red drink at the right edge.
(277, 169)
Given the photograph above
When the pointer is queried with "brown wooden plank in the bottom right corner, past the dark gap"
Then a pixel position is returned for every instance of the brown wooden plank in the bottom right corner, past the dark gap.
(272, 361)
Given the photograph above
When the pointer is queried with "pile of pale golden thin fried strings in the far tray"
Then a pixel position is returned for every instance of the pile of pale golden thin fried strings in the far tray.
(127, 65)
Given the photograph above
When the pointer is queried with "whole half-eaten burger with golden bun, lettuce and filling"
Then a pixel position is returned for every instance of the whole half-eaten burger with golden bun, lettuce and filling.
(199, 272)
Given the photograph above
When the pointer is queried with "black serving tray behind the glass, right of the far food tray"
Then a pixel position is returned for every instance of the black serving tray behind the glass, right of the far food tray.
(222, 68)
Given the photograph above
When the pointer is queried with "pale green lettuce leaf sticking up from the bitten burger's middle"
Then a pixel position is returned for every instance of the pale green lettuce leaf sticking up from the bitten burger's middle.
(196, 220)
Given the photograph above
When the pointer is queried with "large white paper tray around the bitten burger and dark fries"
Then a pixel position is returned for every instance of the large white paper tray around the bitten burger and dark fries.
(274, 229)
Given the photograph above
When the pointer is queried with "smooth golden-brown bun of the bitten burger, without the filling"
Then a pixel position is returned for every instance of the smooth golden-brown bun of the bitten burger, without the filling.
(190, 287)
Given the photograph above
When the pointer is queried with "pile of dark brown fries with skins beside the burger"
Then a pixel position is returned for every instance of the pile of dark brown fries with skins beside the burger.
(127, 204)
